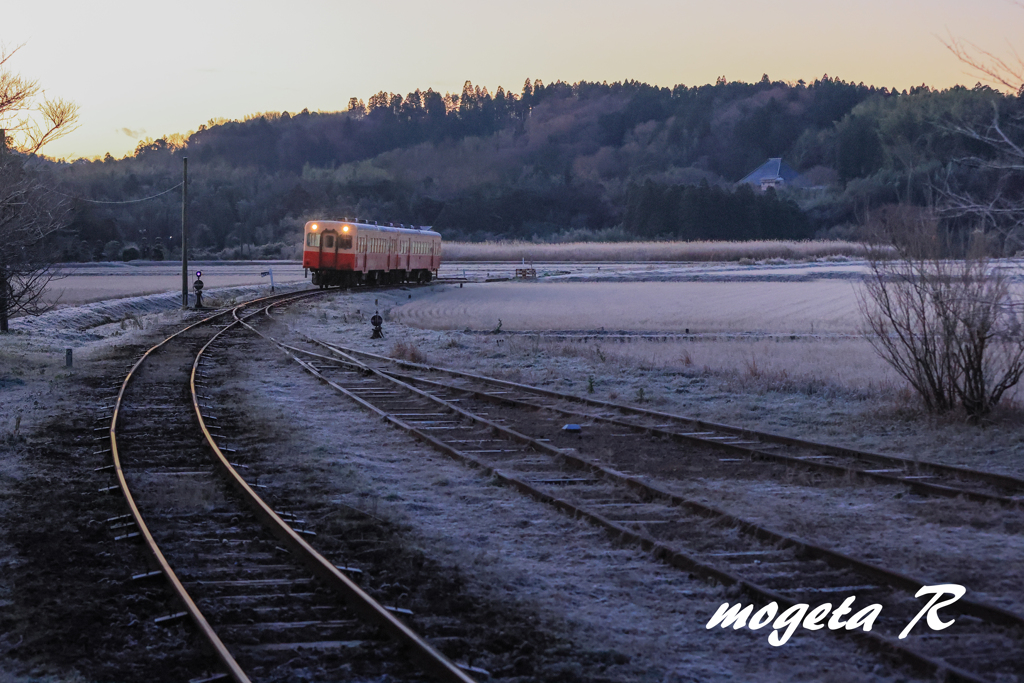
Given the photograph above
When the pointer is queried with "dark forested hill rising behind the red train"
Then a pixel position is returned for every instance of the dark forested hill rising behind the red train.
(552, 162)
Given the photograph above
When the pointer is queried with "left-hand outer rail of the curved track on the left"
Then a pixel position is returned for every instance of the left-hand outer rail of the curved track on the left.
(221, 651)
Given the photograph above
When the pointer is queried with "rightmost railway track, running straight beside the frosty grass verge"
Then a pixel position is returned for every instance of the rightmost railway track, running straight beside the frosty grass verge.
(752, 447)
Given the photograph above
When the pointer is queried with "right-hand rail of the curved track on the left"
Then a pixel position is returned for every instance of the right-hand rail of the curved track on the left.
(433, 660)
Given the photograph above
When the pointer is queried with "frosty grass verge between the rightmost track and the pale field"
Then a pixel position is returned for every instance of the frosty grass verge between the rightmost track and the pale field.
(821, 388)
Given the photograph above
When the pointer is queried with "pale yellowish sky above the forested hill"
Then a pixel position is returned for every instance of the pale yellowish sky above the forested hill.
(142, 69)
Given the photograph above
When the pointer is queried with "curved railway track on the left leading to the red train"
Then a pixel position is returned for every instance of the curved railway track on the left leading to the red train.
(268, 605)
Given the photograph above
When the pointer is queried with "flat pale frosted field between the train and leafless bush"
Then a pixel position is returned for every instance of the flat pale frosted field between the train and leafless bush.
(779, 308)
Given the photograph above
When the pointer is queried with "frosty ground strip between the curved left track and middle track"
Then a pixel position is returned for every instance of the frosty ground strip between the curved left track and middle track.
(524, 557)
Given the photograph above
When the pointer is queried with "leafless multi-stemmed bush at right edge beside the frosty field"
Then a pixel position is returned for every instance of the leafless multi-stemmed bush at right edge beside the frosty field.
(950, 326)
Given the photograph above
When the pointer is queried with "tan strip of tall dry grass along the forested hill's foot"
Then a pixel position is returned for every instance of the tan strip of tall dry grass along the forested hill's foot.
(653, 251)
